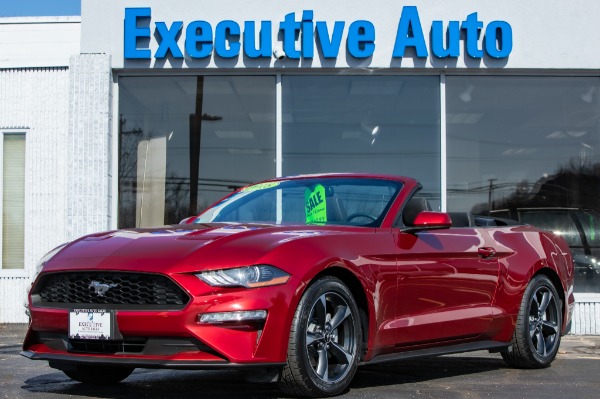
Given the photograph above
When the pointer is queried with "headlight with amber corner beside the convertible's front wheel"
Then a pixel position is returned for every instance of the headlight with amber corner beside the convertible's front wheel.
(249, 277)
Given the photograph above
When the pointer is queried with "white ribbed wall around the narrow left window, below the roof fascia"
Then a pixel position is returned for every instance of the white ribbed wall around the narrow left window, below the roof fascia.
(36, 101)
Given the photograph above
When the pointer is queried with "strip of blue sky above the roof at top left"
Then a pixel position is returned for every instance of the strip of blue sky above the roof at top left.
(37, 8)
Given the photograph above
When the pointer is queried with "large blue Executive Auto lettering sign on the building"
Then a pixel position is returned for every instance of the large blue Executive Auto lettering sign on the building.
(301, 34)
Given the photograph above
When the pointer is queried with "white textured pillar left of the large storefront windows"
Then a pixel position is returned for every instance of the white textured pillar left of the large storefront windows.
(90, 142)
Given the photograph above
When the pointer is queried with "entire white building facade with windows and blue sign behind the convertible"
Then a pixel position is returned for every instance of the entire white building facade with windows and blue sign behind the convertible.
(144, 112)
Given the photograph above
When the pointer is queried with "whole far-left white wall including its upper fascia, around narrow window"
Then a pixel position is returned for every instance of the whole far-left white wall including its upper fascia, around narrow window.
(34, 98)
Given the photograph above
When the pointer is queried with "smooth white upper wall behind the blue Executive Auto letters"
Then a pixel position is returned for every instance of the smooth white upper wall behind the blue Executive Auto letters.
(547, 34)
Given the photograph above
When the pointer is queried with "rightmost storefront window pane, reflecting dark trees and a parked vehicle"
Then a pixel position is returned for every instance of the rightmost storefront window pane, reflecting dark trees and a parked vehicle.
(528, 148)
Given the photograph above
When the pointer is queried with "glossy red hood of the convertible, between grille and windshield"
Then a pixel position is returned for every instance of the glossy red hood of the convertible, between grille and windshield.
(180, 248)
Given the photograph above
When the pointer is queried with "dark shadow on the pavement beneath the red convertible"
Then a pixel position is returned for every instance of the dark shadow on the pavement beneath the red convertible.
(230, 384)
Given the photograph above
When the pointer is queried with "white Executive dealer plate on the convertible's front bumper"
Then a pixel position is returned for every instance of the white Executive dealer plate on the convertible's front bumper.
(91, 324)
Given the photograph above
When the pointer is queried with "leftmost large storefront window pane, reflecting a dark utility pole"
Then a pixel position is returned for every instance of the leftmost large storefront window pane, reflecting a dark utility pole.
(186, 141)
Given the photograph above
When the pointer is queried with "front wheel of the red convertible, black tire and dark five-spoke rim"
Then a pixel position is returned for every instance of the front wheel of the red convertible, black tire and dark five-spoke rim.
(325, 341)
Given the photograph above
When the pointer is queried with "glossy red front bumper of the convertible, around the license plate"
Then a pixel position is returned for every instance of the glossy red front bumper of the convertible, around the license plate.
(175, 339)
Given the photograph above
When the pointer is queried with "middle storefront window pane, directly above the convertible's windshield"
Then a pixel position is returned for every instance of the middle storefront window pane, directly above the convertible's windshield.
(370, 124)
